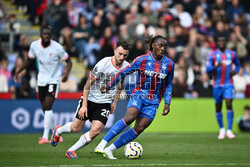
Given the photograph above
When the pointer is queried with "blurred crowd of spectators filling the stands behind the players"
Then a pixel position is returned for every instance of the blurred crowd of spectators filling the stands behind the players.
(89, 31)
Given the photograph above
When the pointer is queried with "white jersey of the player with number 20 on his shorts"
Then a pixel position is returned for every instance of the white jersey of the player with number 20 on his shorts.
(103, 72)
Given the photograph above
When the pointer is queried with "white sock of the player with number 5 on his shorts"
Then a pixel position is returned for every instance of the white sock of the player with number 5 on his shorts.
(48, 116)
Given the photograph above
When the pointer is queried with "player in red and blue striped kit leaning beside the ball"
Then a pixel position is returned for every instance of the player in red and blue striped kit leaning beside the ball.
(155, 78)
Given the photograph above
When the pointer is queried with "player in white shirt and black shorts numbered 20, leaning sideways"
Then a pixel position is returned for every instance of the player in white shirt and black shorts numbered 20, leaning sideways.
(94, 105)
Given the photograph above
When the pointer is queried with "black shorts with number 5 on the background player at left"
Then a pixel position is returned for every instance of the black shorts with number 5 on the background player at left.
(48, 90)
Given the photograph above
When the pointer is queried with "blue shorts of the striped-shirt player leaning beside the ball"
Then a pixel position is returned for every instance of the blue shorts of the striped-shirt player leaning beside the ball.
(145, 108)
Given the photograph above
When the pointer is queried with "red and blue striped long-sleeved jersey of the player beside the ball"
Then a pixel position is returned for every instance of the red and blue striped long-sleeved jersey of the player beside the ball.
(154, 77)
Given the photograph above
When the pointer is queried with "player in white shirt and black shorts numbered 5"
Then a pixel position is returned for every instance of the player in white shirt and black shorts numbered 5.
(50, 54)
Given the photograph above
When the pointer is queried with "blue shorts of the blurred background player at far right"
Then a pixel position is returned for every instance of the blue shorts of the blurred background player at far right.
(223, 92)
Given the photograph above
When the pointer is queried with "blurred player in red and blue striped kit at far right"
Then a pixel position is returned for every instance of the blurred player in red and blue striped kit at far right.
(223, 64)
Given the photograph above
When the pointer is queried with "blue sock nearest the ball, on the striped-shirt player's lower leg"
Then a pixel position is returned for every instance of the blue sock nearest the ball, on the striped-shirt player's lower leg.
(125, 138)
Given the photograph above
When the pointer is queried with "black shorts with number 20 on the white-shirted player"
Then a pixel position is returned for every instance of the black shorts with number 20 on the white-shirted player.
(96, 111)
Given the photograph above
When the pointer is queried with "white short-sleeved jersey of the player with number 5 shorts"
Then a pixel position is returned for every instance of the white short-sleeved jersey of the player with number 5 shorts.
(49, 60)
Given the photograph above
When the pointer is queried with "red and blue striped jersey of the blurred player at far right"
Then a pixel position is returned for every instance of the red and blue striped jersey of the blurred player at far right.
(222, 74)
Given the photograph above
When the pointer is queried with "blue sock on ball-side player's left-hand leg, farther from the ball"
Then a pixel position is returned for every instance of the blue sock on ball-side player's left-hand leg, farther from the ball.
(115, 130)
